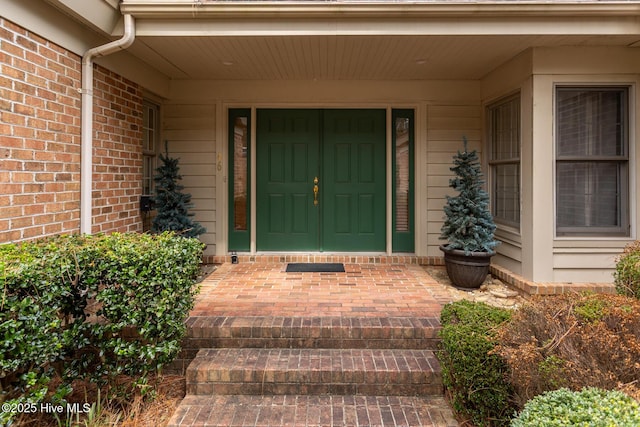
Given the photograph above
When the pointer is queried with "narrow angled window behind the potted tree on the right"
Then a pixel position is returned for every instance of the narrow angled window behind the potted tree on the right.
(504, 160)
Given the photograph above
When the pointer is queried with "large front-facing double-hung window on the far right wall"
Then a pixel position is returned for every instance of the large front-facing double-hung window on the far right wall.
(592, 161)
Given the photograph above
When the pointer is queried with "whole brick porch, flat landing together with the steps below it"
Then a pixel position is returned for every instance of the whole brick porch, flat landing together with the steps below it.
(315, 349)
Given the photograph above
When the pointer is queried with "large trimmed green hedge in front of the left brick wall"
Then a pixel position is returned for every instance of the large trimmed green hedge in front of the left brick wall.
(91, 307)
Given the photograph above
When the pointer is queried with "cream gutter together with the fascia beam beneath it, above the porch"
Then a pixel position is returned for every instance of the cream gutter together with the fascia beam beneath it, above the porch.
(201, 17)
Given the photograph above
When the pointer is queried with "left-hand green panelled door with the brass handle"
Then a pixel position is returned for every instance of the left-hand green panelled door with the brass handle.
(287, 162)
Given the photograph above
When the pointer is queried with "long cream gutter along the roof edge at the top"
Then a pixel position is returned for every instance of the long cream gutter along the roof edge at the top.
(355, 9)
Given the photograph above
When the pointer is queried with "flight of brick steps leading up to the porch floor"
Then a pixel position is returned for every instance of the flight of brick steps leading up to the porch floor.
(312, 371)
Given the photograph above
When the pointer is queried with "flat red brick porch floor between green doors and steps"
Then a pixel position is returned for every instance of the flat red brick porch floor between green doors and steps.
(265, 289)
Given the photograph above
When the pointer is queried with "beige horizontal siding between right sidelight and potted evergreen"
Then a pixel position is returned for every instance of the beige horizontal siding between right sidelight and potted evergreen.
(446, 126)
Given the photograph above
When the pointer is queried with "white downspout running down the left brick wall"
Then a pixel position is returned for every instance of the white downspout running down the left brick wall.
(86, 136)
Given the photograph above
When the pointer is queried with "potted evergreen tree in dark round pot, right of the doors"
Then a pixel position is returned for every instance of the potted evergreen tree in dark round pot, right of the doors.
(468, 226)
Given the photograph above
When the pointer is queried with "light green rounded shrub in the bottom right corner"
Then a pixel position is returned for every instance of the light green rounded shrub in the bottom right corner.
(590, 407)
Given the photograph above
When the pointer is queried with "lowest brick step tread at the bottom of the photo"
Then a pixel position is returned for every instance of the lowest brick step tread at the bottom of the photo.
(312, 411)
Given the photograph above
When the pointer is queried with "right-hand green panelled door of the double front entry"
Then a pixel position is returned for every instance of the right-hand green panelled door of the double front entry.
(354, 180)
